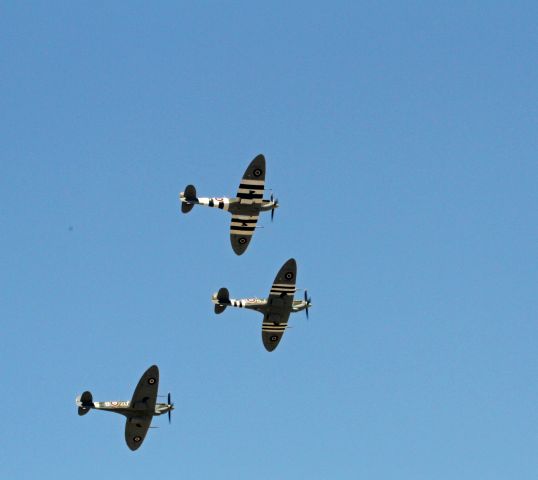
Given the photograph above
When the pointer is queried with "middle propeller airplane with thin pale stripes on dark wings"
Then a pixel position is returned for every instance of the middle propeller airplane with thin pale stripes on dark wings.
(276, 309)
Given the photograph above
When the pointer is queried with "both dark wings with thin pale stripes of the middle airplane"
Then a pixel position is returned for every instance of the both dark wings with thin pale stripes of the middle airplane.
(280, 302)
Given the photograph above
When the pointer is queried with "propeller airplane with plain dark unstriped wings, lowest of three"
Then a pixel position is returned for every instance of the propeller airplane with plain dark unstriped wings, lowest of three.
(139, 411)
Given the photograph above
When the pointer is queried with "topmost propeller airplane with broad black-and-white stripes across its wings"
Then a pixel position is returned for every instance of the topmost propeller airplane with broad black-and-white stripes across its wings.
(245, 208)
